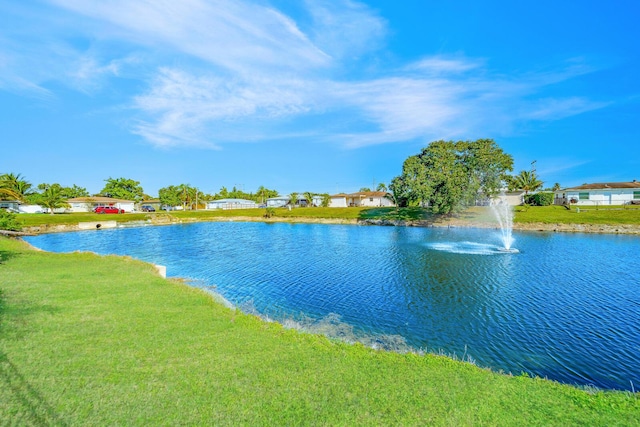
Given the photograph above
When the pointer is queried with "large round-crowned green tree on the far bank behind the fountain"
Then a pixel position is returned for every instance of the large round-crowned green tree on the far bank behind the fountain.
(449, 175)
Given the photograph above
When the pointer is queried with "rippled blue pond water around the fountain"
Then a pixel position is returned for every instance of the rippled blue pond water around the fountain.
(567, 307)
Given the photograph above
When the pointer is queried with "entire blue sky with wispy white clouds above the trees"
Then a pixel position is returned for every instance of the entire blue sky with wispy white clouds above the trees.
(313, 95)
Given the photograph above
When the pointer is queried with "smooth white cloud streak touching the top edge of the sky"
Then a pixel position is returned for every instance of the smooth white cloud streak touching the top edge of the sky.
(235, 35)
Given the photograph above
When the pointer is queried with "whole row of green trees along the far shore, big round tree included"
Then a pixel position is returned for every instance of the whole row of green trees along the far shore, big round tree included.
(446, 176)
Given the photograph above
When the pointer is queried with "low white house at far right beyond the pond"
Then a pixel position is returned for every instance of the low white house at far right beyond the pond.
(607, 193)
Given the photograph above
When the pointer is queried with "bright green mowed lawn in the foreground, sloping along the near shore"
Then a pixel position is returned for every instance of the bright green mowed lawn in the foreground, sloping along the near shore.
(91, 340)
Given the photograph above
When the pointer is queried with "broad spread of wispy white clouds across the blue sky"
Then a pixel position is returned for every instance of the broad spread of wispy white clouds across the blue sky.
(223, 71)
